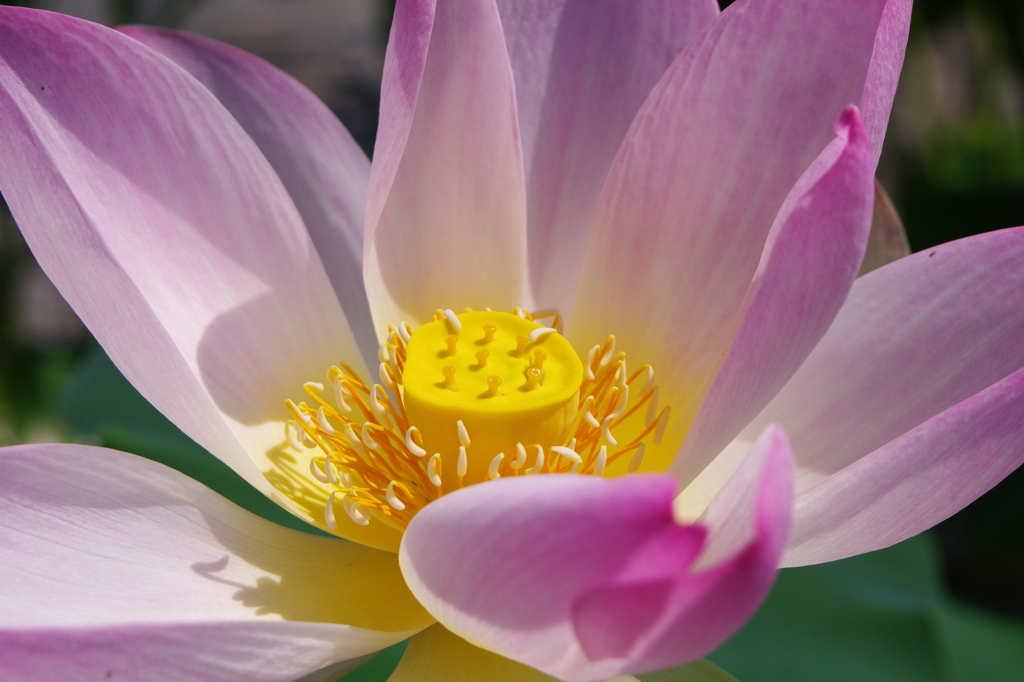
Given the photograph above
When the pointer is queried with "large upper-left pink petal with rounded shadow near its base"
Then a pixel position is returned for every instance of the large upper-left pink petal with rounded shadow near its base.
(166, 230)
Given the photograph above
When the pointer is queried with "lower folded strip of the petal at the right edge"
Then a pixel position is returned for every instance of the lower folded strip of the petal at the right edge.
(914, 482)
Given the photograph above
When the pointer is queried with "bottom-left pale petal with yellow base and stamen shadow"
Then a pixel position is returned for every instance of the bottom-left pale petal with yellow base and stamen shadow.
(116, 566)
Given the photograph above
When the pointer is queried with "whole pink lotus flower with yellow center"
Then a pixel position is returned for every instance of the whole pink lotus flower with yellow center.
(698, 185)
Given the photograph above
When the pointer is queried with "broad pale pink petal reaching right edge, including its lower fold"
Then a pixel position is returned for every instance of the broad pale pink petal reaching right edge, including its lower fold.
(925, 353)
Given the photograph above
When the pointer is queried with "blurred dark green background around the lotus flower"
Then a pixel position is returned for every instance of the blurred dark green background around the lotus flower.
(948, 606)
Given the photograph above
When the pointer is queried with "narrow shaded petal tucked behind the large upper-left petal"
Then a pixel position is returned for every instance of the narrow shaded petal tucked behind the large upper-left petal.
(323, 168)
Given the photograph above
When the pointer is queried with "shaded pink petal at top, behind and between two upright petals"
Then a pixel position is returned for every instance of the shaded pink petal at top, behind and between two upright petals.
(582, 71)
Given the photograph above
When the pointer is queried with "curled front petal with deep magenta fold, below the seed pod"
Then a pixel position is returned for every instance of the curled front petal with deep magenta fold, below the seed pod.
(586, 579)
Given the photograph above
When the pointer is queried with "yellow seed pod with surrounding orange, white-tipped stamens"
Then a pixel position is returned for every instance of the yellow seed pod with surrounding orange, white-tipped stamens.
(466, 399)
